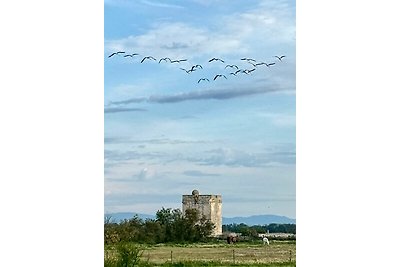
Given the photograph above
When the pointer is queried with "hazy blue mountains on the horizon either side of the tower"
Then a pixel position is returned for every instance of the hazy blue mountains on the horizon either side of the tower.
(251, 220)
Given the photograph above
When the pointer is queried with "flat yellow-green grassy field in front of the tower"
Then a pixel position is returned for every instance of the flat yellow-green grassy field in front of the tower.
(239, 254)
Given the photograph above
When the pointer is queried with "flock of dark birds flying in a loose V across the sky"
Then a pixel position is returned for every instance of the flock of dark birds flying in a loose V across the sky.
(234, 69)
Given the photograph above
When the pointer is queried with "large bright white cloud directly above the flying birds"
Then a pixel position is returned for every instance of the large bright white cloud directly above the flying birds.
(264, 26)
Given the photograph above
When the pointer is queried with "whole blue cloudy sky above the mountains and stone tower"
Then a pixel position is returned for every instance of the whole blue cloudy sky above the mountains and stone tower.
(167, 132)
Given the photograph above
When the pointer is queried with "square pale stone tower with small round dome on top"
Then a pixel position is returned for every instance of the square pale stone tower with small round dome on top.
(209, 206)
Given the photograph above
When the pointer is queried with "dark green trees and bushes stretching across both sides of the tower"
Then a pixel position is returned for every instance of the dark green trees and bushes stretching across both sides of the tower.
(171, 225)
